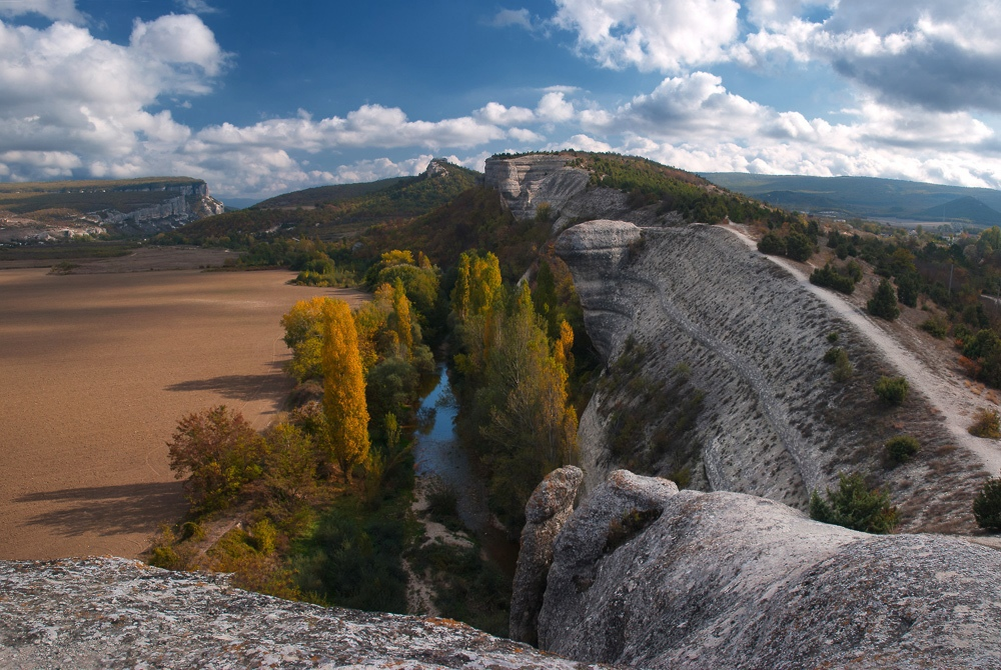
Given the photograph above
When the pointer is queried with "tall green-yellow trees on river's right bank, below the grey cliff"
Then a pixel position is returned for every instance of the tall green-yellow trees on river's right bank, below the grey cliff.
(514, 382)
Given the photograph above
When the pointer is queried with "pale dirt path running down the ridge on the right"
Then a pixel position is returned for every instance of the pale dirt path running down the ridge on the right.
(944, 390)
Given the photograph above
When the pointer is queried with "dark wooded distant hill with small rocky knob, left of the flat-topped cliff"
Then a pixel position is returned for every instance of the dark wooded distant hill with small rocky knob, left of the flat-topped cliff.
(333, 213)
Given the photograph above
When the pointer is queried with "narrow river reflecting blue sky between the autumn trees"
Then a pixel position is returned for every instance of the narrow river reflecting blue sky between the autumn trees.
(439, 454)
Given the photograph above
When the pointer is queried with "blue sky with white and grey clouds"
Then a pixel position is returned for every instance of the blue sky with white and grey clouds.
(260, 98)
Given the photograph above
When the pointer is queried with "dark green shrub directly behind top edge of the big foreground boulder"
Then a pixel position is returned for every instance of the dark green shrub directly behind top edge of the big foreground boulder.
(854, 505)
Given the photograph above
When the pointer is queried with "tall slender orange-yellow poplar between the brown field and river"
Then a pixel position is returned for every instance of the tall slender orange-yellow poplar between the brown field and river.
(344, 390)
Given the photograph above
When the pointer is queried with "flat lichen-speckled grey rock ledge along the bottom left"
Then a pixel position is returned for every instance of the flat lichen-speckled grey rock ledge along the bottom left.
(115, 613)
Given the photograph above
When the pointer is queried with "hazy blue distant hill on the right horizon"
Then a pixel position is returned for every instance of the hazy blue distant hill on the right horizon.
(869, 198)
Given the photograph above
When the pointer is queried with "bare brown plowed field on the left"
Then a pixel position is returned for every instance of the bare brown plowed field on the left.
(96, 371)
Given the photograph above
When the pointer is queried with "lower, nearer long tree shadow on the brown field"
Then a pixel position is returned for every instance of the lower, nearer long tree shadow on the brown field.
(110, 510)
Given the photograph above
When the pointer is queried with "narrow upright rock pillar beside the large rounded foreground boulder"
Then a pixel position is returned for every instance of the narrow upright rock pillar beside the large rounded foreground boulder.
(548, 510)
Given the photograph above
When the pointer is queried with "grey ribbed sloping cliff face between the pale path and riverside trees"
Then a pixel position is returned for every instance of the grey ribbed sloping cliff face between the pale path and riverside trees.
(690, 315)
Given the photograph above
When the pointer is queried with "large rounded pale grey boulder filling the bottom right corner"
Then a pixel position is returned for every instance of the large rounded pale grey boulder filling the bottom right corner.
(649, 577)
